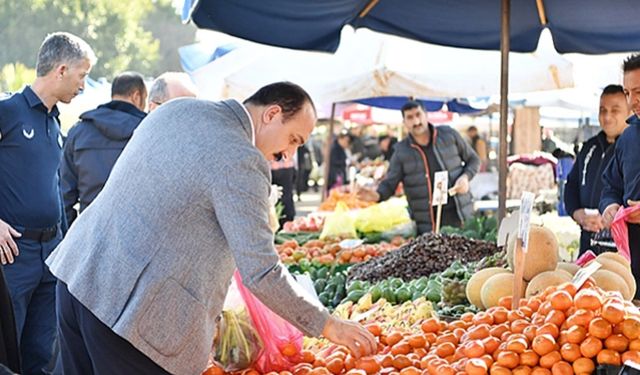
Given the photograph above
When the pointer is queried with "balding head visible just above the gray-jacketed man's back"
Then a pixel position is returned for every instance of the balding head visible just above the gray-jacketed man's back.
(170, 85)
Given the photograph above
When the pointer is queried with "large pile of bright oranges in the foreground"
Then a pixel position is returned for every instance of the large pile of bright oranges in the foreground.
(563, 331)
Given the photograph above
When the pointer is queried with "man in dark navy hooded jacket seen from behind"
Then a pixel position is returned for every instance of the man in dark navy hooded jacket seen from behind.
(94, 144)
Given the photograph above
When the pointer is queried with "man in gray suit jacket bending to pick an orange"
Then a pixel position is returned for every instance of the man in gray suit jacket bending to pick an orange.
(144, 271)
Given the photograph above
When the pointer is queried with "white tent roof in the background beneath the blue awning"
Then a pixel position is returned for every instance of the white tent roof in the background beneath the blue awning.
(369, 64)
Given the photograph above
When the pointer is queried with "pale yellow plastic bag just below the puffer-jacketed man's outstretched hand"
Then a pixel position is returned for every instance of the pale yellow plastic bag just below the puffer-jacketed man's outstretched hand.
(383, 216)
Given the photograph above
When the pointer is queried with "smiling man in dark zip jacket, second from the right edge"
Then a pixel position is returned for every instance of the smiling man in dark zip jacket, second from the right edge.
(584, 183)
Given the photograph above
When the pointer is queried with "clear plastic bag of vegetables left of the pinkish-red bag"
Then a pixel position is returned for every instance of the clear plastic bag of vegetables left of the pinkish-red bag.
(237, 345)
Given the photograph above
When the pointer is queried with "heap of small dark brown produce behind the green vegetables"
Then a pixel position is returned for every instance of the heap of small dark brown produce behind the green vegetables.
(422, 256)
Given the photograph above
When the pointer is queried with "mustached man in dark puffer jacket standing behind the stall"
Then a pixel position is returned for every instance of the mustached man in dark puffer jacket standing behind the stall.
(415, 160)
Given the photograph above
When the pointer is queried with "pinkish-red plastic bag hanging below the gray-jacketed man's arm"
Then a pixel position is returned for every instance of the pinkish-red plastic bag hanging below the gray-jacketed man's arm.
(282, 342)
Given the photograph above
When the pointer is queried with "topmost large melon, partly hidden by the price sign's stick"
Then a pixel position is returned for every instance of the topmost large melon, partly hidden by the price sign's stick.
(542, 253)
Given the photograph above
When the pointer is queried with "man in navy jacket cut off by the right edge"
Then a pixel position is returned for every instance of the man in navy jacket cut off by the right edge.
(621, 178)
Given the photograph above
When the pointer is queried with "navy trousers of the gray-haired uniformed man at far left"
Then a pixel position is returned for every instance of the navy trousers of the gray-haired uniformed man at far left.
(32, 289)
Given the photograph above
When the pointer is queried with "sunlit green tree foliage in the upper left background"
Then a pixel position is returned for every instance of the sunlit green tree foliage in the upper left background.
(114, 28)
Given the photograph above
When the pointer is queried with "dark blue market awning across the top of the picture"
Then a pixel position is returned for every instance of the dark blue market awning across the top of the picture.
(584, 26)
